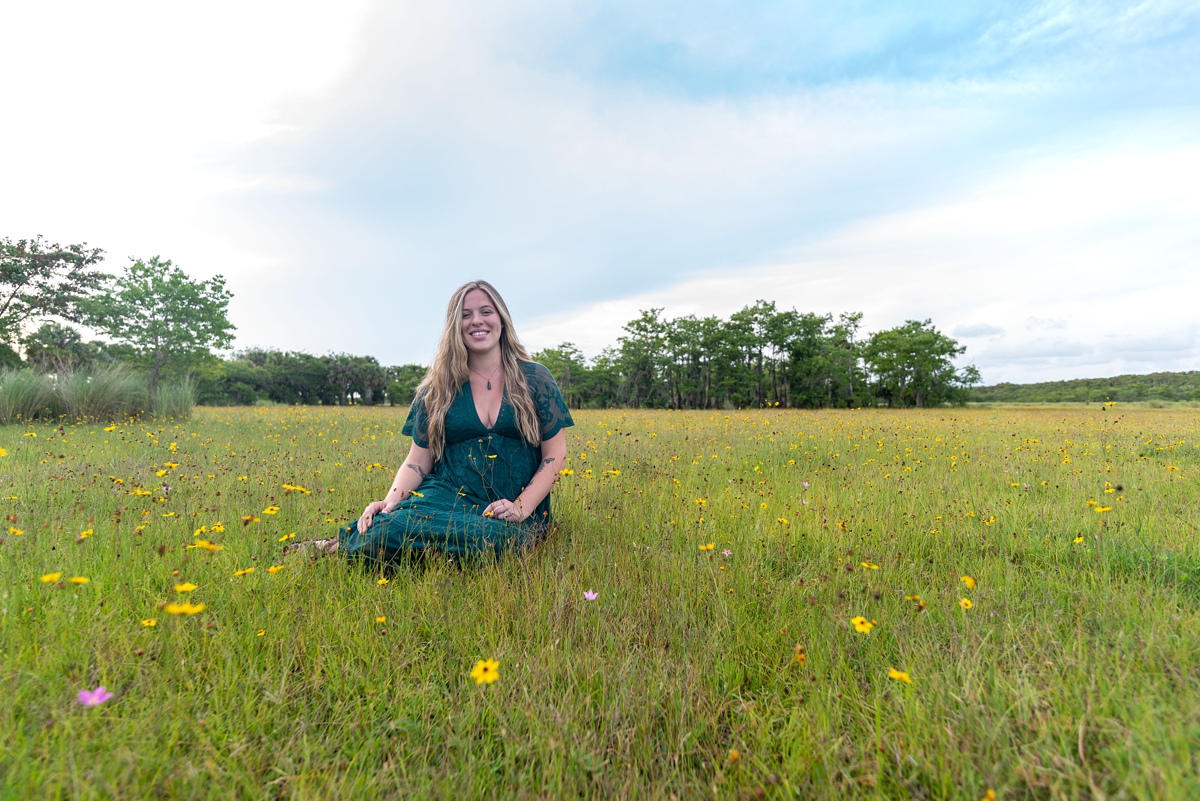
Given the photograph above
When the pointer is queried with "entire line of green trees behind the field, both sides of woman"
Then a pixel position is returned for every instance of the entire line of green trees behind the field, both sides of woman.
(166, 324)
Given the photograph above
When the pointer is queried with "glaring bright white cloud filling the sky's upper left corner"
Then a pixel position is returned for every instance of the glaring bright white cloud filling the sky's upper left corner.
(118, 116)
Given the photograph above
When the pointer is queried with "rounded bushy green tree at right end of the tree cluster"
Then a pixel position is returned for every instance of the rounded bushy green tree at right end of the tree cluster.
(913, 366)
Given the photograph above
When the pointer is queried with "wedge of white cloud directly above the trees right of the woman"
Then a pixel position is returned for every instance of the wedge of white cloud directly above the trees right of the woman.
(1102, 290)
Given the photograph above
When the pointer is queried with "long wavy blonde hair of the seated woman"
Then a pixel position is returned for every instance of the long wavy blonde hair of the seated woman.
(449, 371)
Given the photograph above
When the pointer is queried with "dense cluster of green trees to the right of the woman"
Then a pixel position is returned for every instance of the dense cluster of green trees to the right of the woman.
(764, 357)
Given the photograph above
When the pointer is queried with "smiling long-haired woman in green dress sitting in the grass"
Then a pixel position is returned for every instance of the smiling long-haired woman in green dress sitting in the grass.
(488, 445)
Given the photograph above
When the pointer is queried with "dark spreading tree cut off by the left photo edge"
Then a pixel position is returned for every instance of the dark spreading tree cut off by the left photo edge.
(43, 280)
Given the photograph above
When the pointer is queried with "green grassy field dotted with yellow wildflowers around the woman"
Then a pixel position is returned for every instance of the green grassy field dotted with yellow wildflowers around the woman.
(1035, 574)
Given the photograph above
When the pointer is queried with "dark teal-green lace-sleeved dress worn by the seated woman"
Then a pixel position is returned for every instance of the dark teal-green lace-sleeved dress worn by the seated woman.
(479, 466)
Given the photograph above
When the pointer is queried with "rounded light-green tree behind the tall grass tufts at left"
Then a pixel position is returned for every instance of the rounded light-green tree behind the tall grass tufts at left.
(169, 320)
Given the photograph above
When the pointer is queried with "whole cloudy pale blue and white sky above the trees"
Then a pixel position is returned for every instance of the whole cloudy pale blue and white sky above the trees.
(1023, 174)
